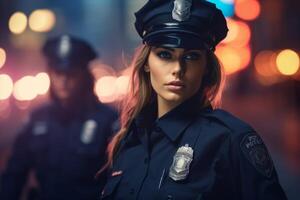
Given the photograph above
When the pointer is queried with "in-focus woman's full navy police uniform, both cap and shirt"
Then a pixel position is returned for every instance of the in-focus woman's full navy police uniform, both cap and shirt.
(189, 153)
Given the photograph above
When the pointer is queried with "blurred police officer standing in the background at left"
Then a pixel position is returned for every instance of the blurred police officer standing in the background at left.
(65, 141)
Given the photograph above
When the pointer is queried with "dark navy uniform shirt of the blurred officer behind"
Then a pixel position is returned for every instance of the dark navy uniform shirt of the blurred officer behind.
(65, 151)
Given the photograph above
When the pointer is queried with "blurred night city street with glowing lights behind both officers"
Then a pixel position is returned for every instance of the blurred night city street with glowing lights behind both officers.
(260, 57)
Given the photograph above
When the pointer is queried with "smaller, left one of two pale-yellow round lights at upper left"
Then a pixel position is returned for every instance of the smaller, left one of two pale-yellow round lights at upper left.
(17, 23)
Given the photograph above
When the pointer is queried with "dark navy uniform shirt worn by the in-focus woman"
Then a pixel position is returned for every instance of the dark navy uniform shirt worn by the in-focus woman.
(229, 159)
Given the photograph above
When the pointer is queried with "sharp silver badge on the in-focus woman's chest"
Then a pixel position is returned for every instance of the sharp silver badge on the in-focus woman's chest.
(181, 163)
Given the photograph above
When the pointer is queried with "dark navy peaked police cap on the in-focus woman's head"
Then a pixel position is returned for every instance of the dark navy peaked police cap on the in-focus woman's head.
(195, 24)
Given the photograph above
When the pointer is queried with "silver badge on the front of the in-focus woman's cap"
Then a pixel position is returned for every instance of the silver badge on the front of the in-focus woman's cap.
(182, 10)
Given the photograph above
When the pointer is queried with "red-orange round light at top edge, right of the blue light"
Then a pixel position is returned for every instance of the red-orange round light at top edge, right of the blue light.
(247, 10)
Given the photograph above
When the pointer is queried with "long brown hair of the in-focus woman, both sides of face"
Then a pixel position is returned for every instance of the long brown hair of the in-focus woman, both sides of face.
(141, 93)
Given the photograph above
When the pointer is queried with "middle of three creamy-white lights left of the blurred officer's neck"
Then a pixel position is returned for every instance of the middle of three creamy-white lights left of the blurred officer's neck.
(25, 89)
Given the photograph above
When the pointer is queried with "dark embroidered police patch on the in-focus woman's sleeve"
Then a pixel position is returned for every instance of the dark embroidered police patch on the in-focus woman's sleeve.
(256, 152)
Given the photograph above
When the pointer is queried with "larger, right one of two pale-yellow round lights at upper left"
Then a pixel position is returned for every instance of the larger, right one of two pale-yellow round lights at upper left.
(42, 20)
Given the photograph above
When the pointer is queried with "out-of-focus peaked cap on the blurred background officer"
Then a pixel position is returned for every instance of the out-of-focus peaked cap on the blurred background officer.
(66, 52)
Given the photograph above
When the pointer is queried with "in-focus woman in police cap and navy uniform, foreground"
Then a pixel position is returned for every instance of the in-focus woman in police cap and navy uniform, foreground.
(173, 143)
